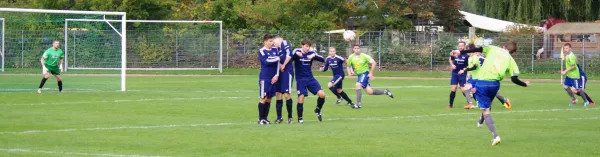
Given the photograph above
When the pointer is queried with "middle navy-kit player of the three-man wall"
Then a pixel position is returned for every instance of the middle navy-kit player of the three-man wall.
(286, 77)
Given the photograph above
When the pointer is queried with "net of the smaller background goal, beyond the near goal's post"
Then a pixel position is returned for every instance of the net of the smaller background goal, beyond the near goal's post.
(152, 44)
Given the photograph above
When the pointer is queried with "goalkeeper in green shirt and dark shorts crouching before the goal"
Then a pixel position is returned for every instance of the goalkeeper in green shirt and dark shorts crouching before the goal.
(52, 60)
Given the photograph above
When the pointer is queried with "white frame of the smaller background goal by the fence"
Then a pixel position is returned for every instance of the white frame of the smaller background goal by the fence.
(219, 65)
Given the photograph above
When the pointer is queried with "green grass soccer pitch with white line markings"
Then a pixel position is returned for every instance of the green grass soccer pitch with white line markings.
(216, 116)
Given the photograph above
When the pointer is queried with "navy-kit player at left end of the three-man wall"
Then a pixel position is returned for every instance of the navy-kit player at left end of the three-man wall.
(269, 73)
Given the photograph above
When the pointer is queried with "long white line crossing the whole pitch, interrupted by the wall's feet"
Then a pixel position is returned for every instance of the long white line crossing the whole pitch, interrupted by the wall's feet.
(248, 123)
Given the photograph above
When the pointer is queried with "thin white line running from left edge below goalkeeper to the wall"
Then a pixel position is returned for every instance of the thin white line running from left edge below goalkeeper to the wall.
(121, 101)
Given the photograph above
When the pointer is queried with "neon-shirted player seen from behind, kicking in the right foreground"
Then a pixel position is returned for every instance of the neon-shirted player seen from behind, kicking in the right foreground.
(498, 62)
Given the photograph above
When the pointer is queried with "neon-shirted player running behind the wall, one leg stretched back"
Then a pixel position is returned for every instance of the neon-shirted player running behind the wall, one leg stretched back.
(358, 64)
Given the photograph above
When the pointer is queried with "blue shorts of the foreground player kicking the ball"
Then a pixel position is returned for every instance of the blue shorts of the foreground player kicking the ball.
(486, 92)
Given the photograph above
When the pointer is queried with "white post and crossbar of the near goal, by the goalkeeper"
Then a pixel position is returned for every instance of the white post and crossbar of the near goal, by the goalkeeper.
(122, 34)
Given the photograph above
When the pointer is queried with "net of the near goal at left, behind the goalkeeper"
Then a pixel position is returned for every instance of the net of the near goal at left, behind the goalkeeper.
(27, 33)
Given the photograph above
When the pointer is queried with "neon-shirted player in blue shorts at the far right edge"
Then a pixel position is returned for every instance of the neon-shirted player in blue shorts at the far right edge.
(573, 78)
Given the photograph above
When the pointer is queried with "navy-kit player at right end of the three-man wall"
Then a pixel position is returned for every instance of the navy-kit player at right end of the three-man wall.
(305, 81)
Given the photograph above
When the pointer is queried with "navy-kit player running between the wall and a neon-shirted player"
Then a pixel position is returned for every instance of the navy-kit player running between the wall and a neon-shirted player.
(337, 68)
